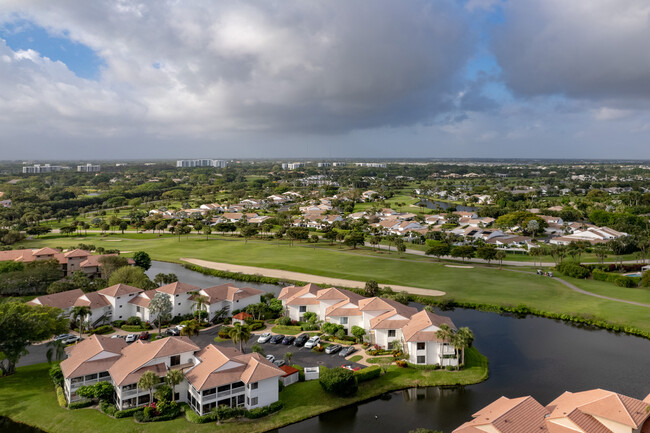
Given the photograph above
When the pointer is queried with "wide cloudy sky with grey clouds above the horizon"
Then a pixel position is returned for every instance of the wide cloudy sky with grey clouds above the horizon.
(125, 79)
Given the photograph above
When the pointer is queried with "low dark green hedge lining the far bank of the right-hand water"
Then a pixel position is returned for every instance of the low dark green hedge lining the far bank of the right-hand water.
(523, 310)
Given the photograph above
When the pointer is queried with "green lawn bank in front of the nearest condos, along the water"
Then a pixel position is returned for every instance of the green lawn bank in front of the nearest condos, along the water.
(28, 397)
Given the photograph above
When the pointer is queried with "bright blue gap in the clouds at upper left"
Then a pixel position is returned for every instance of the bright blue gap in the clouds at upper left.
(80, 59)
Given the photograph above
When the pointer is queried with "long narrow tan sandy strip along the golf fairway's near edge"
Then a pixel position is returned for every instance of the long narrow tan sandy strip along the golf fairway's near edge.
(309, 278)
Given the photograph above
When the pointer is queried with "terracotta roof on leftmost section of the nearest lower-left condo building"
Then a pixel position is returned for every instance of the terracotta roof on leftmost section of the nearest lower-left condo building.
(92, 355)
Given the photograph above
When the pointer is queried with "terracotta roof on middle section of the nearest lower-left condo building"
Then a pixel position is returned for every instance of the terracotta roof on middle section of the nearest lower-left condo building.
(135, 356)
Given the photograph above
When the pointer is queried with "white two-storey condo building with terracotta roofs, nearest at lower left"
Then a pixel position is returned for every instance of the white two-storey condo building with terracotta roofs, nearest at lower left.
(213, 376)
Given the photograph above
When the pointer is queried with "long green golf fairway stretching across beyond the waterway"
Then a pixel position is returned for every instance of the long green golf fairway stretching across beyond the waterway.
(479, 284)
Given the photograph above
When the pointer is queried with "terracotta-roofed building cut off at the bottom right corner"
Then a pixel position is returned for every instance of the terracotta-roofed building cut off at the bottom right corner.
(592, 411)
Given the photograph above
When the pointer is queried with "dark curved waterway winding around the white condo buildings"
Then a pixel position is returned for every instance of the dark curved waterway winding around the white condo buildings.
(530, 356)
